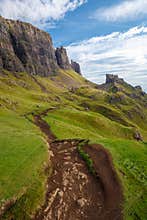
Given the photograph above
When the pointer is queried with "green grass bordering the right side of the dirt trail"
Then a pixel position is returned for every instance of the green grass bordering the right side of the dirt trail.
(129, 156)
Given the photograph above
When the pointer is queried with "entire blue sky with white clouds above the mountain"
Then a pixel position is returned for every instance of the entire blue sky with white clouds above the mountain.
(104, 36)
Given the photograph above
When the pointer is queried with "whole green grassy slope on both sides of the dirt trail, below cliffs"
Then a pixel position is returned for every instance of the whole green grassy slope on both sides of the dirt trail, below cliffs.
(102, 123)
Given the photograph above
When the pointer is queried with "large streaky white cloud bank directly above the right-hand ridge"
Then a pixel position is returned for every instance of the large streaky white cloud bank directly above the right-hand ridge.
(120, 53)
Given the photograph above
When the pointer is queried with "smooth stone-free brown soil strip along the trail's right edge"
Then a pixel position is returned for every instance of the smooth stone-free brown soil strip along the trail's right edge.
(112, 189)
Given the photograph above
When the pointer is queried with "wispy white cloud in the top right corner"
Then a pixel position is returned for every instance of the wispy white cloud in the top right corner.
(126, 10)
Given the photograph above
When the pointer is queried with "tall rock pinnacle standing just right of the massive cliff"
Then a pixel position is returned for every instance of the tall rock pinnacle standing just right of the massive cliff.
(62, 58)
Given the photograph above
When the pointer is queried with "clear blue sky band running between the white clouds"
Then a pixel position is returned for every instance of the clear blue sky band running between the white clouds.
(79, 24)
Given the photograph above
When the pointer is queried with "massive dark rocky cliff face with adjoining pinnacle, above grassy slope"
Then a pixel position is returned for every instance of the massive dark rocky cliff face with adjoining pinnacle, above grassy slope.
(23, 47)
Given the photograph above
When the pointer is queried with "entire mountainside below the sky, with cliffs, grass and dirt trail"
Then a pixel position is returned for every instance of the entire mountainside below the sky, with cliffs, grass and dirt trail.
(69, 148)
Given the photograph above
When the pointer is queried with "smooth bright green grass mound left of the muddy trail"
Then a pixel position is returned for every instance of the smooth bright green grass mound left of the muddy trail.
(22, 158)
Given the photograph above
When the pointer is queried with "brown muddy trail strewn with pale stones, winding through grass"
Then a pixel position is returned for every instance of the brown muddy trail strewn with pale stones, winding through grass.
(73, 193)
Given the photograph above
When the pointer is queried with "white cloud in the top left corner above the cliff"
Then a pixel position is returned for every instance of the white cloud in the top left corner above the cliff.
(38, 12)
